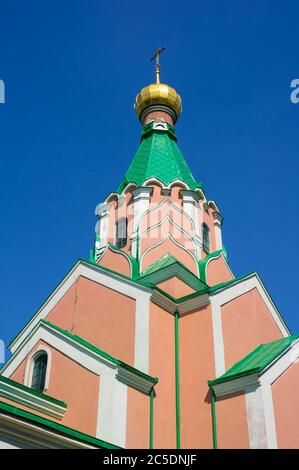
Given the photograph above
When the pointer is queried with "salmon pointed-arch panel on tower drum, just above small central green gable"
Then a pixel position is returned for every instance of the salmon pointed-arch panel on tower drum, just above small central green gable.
(168, 246)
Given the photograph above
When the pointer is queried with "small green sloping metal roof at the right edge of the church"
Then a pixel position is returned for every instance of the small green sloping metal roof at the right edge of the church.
(256, 360)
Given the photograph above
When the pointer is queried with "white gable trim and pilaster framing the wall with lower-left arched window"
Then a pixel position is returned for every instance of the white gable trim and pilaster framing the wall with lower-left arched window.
(112, 406)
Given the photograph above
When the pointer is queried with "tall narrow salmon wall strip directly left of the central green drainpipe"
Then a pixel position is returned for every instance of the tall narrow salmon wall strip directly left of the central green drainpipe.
(162, 357)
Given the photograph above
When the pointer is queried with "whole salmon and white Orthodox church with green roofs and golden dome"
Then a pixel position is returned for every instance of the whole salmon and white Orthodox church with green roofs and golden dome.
(153, 342)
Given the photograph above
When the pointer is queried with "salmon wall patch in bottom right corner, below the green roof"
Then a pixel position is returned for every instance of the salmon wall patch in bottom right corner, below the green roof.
(285, 393)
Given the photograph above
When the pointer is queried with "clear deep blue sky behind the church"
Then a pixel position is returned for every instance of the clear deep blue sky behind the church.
(68, 131)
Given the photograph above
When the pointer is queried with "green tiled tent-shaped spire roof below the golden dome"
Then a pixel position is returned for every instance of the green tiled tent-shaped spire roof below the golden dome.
(158, 156)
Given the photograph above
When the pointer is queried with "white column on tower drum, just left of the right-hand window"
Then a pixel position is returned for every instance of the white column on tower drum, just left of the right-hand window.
(192, 207)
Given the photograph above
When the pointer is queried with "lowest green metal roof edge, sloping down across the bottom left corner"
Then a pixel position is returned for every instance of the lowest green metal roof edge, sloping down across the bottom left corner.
(9, 409)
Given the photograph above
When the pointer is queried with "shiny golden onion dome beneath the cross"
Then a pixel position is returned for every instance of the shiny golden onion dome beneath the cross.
(158, 94)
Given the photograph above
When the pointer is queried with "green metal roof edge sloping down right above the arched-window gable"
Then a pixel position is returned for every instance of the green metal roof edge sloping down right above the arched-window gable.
(99, 351)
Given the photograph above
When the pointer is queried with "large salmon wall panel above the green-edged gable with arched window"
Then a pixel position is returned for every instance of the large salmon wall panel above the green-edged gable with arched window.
(100, 315)
